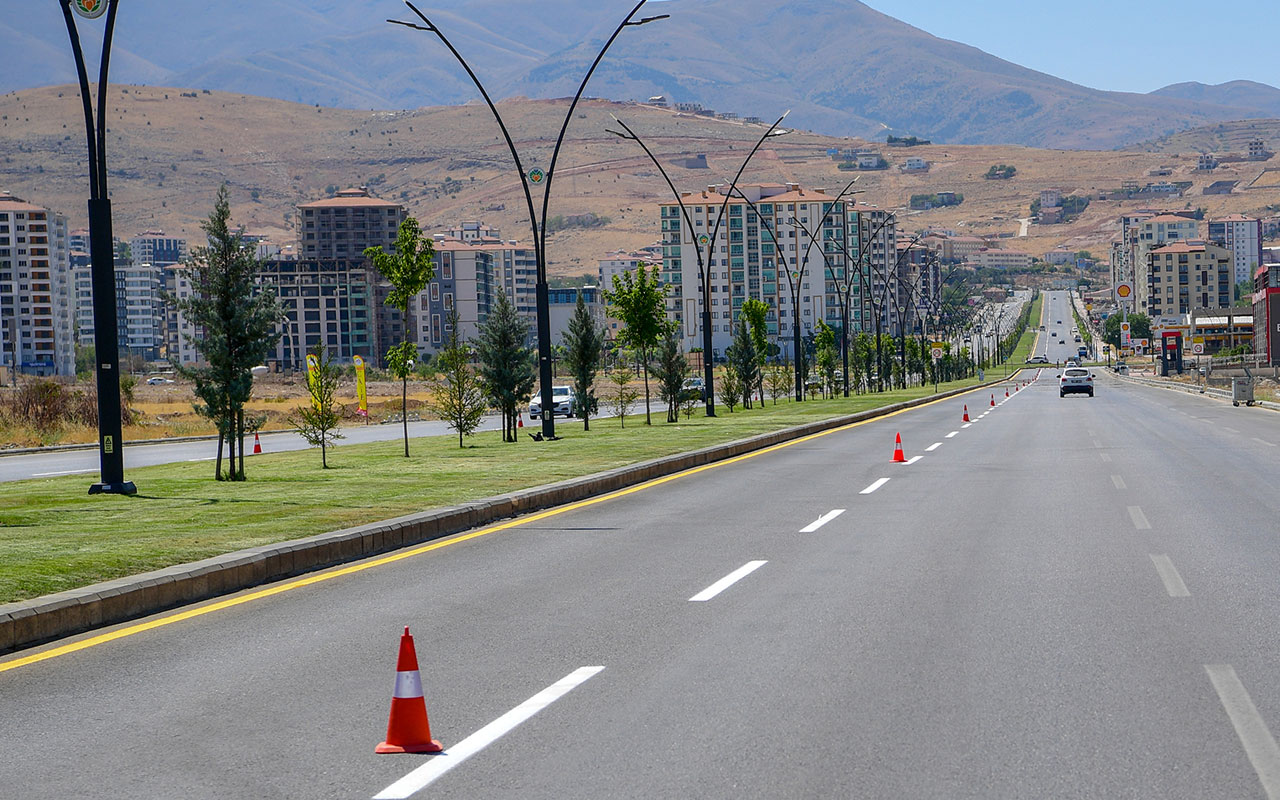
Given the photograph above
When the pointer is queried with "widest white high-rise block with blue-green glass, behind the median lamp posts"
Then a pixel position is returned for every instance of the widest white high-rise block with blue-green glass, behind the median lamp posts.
(764, 248)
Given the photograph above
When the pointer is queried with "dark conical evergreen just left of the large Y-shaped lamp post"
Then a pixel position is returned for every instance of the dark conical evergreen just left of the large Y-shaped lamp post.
(508, 364)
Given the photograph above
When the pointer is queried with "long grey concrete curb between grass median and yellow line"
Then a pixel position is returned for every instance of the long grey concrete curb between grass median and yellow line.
(56, 616)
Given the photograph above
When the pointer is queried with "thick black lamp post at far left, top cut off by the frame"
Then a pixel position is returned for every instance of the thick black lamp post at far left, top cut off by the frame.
(111, 444)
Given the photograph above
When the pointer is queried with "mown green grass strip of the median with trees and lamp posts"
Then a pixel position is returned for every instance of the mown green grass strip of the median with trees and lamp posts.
(54, 537)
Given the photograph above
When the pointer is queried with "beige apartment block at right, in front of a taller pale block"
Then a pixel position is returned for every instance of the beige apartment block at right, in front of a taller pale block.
(1187, 276)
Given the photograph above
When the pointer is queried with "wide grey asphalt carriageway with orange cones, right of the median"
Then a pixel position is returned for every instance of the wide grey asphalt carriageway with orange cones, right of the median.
(1062, 600)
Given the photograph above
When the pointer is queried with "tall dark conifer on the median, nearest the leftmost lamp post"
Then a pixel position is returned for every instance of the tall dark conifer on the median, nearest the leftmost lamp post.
(239, 326)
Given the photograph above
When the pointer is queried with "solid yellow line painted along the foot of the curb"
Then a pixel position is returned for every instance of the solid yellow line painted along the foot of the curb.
(427, 548)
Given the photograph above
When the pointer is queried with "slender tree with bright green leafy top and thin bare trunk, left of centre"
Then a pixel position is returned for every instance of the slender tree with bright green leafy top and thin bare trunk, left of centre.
(409, 269)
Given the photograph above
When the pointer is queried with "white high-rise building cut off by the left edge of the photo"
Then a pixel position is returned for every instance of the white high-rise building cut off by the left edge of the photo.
(36, 305)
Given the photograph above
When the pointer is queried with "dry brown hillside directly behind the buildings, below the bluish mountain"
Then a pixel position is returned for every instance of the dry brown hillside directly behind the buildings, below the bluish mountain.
(170, 149)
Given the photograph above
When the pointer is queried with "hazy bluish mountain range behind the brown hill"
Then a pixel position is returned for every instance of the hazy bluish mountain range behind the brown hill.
(840, 66)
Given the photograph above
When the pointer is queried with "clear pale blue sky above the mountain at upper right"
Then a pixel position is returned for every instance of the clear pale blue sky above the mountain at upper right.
(1118, 45)
